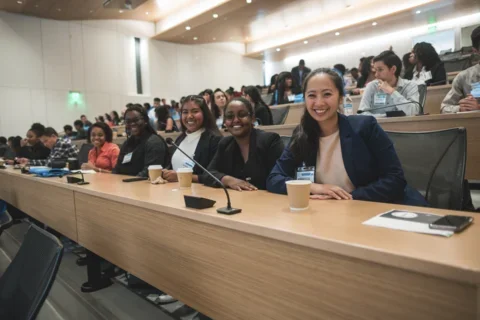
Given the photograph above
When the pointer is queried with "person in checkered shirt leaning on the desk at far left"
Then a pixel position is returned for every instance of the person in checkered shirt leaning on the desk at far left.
(60, 149)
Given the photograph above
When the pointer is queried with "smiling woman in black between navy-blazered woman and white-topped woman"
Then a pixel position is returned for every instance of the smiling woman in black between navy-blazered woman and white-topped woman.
(244, 160)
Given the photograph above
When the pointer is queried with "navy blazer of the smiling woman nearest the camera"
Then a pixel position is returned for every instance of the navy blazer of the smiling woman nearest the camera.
(370, 161)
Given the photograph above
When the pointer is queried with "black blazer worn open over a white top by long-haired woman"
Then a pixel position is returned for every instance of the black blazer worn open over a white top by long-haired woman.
(205, 151)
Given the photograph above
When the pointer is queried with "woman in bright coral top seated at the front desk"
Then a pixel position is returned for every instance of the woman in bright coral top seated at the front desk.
(104, 155)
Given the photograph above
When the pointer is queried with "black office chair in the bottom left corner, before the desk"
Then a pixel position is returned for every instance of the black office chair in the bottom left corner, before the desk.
(28, 279)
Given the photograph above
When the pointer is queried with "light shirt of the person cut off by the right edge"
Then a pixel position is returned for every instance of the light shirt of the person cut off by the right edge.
(461, 87)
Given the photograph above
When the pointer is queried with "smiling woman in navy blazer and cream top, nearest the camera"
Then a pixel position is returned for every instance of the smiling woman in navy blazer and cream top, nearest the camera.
(352, 157)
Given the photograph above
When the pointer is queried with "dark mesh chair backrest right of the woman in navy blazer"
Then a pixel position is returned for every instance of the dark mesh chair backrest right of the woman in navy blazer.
(434, 164)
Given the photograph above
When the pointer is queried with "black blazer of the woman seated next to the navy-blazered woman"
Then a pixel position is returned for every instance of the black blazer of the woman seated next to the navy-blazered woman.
(265, 149)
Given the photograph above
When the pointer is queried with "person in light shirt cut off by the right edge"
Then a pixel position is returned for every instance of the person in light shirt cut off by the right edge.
(461, 97)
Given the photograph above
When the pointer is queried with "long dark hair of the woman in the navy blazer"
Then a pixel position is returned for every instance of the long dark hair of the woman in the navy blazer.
(305, 137)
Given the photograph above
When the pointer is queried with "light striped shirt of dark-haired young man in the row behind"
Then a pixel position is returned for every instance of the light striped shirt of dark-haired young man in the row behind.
(404, 92)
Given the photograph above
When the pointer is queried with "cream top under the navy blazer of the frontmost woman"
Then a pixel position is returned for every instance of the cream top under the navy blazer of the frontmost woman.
(330, 168)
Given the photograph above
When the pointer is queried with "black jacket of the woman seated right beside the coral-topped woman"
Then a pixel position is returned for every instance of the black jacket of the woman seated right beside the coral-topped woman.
(149, 149)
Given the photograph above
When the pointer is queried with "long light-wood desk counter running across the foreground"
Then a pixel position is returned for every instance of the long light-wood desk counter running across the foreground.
(324, 261)
